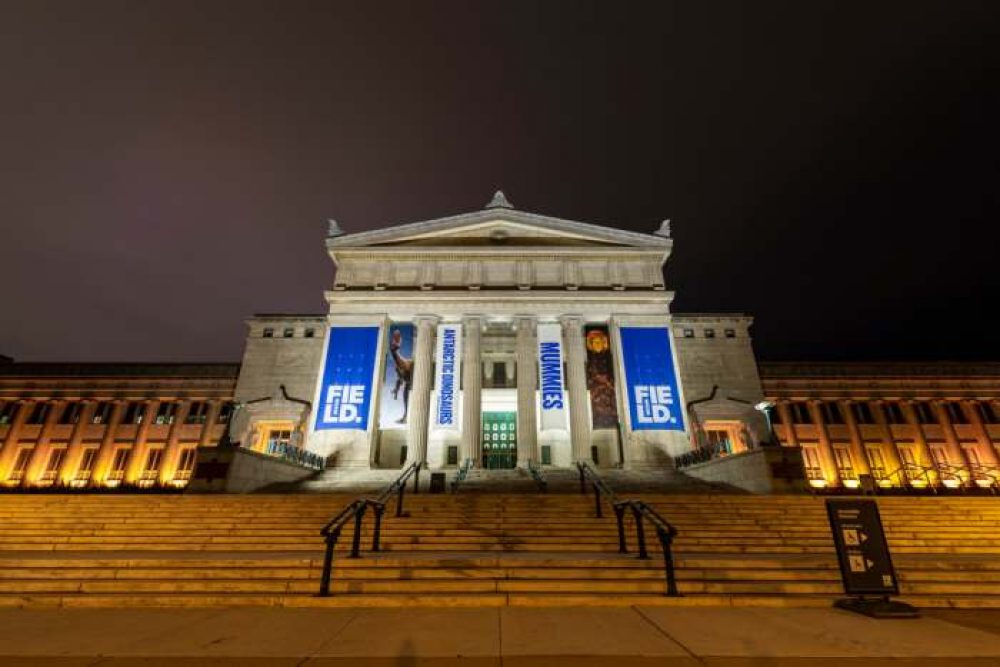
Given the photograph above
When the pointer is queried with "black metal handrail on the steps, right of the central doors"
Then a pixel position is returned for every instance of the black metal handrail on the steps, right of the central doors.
(641, 512)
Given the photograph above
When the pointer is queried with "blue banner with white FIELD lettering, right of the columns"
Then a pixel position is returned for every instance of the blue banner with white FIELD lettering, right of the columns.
(651, 380)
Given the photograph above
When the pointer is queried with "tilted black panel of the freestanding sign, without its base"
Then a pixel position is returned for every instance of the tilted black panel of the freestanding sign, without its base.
(863, 554)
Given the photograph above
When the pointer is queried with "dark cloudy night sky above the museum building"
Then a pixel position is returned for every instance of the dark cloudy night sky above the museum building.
(166, 169)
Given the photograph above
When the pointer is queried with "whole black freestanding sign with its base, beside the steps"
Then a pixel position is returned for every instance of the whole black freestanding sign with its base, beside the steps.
(865, 564)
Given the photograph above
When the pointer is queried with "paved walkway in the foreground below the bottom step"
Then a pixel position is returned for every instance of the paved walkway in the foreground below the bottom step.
(506, 636)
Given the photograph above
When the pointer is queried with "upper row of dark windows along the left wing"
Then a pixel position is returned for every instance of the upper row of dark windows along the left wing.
(133, 412)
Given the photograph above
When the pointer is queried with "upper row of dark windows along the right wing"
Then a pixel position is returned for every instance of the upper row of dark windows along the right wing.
(833, 412)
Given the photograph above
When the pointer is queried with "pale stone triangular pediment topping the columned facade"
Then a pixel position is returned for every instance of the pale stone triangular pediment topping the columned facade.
(498, 227)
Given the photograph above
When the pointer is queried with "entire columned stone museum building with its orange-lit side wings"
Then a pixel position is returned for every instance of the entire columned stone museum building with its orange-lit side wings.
(501, 339)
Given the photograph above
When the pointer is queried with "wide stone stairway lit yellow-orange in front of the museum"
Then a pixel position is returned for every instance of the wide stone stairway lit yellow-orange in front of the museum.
(473, 550)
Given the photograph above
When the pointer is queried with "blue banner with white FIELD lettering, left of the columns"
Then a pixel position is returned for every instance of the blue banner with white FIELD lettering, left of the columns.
(346, 384)
